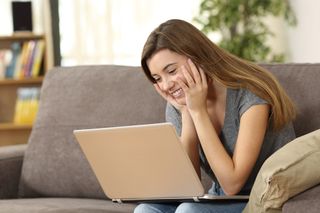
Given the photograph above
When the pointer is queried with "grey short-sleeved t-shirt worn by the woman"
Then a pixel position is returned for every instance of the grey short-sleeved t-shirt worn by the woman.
(238, 101)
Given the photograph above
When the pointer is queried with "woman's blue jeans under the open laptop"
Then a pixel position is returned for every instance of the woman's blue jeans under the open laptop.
(213, 207)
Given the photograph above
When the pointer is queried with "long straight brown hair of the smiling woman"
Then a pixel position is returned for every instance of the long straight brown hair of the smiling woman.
(183, 38)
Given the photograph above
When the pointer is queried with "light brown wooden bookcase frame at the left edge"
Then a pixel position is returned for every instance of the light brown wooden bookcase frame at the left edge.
(11, 133)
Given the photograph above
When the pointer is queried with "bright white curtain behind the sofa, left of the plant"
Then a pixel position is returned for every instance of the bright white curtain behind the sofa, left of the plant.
(114, 31)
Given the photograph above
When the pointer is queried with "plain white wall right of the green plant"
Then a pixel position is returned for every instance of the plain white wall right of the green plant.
(304, 39)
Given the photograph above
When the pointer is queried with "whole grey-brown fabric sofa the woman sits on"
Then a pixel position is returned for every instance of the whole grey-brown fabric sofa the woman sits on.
(50, 174)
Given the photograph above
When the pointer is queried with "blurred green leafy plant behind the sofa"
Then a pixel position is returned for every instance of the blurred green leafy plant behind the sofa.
(241, 24)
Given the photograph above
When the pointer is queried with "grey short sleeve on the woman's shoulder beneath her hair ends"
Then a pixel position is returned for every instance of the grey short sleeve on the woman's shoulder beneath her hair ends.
(249, 99)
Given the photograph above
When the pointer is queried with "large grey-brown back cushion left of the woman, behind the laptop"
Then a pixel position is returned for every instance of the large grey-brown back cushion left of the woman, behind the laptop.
(76, 98)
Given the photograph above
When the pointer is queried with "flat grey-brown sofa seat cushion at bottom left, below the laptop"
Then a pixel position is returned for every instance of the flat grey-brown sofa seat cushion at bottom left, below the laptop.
(63, 205)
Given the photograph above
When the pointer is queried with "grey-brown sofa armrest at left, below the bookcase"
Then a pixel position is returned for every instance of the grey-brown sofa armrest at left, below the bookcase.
(11, 158)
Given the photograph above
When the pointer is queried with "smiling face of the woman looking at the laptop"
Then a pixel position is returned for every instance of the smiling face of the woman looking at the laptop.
(165, 68)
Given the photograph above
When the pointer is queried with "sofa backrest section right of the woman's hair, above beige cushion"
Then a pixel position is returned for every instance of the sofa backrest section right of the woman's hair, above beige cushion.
(302, 83)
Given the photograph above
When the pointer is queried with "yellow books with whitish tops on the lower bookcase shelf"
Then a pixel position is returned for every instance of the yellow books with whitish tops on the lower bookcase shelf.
(27, 105)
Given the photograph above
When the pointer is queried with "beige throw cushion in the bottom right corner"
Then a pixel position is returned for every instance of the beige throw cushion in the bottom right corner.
(289, 171)
